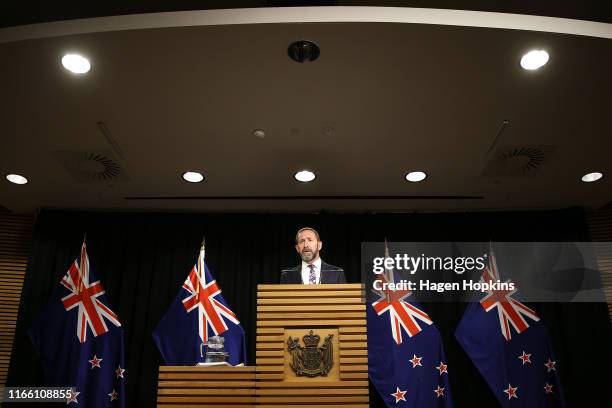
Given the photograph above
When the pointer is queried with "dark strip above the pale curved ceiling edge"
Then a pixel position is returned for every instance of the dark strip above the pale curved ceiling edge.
(21, 12)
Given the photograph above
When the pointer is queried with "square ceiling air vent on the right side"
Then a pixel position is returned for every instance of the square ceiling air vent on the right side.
(517, 161)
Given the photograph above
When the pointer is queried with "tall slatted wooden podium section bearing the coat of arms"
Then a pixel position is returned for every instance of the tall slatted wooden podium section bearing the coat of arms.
(286, 315)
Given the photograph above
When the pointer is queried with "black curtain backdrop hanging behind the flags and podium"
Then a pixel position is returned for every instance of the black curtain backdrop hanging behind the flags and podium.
(143, 258)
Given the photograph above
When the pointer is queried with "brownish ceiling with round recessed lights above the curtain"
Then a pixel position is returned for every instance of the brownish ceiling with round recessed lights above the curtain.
(383, 99)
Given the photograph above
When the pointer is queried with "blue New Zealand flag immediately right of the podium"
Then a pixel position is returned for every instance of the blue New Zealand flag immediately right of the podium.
(406, 361)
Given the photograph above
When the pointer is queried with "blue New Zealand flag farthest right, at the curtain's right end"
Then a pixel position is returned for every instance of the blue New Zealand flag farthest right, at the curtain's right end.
(510, 346)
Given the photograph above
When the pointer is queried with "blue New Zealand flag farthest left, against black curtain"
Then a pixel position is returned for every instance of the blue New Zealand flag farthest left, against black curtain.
(80, 340)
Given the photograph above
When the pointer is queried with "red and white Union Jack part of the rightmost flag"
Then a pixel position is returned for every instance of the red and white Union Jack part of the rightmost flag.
(509, 310)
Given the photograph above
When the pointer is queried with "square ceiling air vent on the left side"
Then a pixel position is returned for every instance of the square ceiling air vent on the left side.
(89, 166)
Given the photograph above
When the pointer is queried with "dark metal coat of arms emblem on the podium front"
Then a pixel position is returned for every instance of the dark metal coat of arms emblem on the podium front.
(311, 360)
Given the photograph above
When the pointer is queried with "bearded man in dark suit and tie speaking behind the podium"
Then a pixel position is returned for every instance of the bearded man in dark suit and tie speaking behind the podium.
(312, 270)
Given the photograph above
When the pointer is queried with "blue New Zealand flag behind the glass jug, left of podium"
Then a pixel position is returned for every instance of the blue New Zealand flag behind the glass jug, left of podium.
(198, 312)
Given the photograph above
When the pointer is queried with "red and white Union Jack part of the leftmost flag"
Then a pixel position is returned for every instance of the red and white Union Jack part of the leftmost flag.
(91, 310)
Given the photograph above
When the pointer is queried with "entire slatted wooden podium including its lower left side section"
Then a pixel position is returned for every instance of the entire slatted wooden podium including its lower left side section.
(286, 315)
